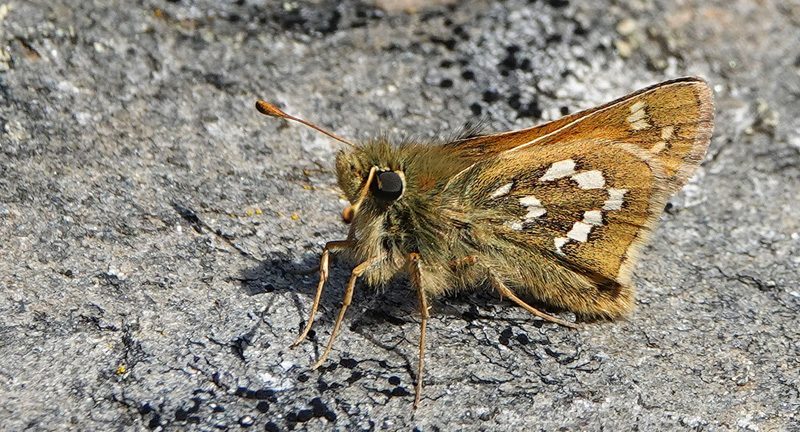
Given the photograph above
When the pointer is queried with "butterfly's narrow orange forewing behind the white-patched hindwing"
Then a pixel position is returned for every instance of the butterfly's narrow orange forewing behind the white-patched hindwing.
(672, 120)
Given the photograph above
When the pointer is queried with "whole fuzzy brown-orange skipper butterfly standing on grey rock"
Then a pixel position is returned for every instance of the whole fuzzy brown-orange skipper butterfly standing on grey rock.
(557, 213)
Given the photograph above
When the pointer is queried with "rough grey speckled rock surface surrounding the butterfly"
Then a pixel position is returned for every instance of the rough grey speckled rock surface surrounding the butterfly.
(152, 222)
